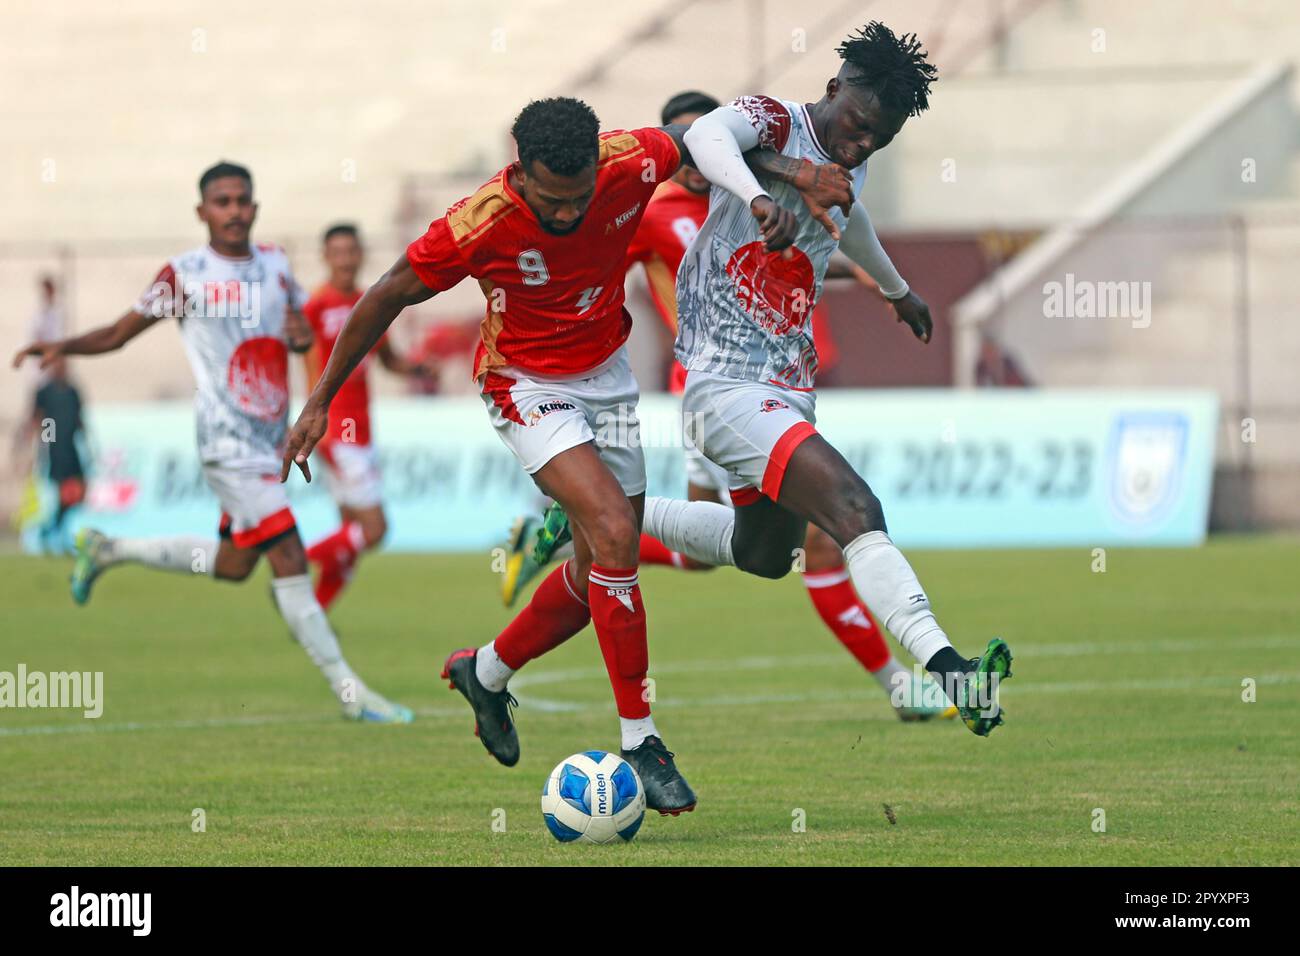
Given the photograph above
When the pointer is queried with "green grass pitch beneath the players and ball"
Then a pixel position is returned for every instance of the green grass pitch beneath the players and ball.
(1128, 698)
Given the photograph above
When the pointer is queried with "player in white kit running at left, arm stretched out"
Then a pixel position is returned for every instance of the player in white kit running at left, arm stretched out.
(240, 313)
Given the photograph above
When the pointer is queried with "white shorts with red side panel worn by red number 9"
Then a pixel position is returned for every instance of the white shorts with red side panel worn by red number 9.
(540, 418)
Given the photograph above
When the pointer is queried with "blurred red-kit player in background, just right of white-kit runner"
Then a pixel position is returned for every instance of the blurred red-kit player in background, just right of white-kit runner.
(348, 448)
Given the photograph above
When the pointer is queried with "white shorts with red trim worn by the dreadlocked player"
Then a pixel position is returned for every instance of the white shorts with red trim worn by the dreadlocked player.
(751, 430)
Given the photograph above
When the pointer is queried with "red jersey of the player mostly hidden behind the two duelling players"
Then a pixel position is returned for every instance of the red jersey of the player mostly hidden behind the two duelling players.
(671, 222)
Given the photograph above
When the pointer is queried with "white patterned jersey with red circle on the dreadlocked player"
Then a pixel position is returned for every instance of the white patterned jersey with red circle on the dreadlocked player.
(744, 313)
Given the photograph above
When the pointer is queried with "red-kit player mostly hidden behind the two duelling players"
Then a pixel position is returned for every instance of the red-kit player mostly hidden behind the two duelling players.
(673, 220)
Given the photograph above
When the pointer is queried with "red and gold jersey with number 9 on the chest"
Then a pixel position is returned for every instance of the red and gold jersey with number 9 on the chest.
(554, 302)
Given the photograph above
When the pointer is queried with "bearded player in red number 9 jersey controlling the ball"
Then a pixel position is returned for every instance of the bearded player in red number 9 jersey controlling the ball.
(548, 239)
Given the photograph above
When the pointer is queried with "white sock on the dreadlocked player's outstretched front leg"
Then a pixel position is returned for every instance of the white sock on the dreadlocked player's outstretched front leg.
(889, 586)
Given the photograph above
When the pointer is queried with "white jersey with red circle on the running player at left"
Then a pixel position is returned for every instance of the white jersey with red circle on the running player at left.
(232, 317)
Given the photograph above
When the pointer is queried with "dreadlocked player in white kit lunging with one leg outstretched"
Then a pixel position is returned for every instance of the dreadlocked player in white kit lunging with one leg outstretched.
(746, 338)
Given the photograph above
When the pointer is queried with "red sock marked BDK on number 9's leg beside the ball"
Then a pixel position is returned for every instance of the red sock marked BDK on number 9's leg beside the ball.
(621, 626)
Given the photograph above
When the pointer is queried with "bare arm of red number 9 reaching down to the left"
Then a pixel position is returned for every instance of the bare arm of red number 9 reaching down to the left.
(397, 289)
